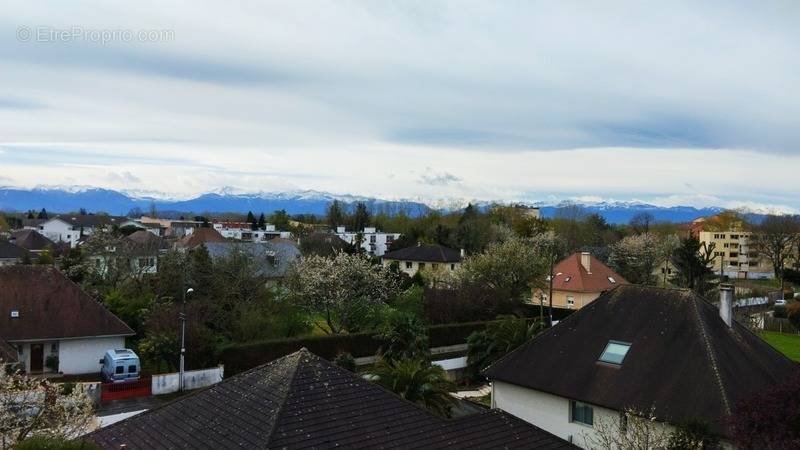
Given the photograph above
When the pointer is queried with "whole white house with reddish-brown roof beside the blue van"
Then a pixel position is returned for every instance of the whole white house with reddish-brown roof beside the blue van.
(53, 324)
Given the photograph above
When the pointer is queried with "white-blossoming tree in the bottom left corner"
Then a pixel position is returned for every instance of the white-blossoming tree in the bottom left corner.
(35, 407)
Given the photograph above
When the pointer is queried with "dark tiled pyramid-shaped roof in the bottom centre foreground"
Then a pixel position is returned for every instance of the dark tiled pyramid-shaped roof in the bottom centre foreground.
(303, 401)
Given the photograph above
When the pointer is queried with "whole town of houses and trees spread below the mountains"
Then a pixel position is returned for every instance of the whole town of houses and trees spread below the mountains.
(477, 328)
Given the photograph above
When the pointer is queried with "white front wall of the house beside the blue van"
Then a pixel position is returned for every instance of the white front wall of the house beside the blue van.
(75, 356)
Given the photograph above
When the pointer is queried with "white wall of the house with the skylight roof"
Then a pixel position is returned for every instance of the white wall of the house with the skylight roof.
(550, 412)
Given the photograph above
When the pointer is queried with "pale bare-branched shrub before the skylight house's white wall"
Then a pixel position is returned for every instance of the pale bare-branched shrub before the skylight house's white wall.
(634, 430)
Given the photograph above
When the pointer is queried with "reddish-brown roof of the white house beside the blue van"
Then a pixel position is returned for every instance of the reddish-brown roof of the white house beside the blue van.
(50, 306)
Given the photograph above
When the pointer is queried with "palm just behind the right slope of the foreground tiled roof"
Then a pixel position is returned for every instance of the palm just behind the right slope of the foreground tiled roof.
(418, 382)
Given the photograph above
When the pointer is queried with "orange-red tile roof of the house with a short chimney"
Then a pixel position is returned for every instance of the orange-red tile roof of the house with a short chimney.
(570, 275)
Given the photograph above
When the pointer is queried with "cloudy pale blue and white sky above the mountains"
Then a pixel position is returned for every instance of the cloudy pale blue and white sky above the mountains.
(671, 103)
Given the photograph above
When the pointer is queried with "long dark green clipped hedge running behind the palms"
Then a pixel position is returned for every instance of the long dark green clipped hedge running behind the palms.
(240, 357)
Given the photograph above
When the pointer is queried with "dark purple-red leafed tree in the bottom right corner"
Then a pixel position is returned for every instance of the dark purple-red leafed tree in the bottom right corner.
(769, 419)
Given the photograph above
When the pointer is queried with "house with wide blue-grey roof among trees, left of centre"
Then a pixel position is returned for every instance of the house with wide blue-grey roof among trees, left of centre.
(272, 258)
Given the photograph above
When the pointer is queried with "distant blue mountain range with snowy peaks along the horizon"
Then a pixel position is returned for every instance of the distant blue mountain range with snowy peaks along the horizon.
(227, 200)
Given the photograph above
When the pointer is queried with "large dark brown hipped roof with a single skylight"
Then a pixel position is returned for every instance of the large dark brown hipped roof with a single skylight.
(683, 359)
